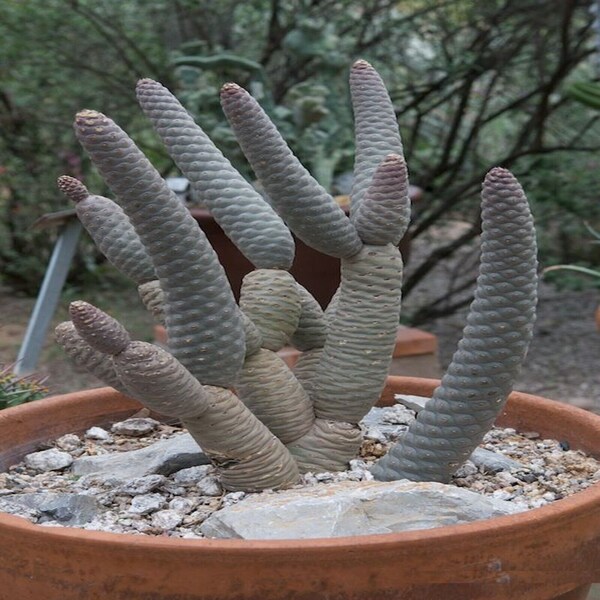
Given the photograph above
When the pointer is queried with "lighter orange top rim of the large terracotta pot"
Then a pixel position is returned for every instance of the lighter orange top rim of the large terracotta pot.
(570, 508)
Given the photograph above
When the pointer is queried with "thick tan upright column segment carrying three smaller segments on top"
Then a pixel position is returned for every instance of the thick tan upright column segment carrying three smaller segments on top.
(361, 336)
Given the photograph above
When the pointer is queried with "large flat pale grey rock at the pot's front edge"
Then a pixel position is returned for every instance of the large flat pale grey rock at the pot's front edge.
(351, 509)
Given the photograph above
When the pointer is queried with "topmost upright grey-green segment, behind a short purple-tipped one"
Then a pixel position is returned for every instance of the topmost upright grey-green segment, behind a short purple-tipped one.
(375, 124)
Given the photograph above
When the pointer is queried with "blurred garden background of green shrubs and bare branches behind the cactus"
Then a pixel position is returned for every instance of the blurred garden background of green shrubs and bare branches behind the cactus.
(474, 85)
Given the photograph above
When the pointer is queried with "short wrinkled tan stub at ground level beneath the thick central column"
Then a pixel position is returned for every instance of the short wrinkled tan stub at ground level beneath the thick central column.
(328, 446)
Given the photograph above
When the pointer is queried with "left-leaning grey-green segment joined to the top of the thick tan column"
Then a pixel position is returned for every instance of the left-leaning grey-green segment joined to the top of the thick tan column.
(310, 212)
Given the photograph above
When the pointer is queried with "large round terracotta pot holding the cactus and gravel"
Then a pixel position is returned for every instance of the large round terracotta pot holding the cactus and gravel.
(549, 552)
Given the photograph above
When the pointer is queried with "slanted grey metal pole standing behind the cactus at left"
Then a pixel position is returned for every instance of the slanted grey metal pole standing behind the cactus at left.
(48, 298)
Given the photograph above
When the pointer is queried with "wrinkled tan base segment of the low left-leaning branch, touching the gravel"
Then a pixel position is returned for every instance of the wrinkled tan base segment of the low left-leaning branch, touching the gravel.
(249, 457)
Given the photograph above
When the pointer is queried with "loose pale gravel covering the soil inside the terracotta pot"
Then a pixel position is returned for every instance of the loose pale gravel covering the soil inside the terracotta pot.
(178, 504)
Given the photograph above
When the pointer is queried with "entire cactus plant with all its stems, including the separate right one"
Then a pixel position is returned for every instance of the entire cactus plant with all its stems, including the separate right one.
(261, 423)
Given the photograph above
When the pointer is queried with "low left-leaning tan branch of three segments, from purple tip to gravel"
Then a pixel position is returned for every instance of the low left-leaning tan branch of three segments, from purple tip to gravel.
(249, 457)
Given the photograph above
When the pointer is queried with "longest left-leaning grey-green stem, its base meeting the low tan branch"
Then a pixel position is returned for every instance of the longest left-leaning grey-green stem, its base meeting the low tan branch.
(203, 322)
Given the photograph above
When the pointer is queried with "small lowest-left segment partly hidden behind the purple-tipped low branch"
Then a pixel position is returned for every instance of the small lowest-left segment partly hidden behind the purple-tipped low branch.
(83, 355)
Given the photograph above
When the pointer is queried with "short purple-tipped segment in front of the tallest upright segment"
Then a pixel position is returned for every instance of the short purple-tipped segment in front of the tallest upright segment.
(384, 214)
